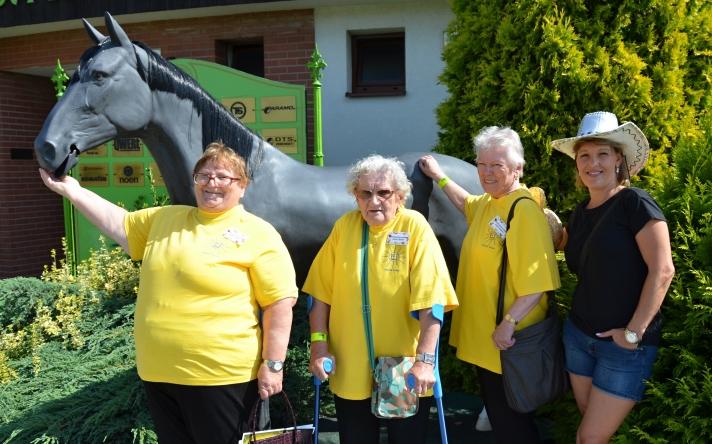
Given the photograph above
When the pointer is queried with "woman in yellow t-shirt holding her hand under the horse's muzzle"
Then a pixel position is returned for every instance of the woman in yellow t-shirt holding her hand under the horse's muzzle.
(207, 274)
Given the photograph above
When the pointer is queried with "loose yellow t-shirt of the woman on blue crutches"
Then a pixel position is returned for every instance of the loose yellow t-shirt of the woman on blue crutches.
(406, 273)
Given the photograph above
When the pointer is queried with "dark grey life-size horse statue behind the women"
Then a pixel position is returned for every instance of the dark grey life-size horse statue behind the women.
(124, 89)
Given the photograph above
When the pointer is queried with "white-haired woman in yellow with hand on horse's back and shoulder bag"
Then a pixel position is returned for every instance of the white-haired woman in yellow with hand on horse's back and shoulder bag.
(532, 270)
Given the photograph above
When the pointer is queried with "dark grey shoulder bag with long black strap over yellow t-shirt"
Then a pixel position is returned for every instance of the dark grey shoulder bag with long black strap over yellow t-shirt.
(533, 369)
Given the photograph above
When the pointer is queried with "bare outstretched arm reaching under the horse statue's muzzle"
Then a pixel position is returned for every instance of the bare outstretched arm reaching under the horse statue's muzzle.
(106, 216)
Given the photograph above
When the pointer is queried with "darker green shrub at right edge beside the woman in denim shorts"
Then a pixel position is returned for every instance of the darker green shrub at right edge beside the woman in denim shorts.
(679, 396)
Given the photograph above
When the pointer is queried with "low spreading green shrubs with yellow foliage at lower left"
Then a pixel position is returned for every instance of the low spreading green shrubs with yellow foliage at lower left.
(55, 391)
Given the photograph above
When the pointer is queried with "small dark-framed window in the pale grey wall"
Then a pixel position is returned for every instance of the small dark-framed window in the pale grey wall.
(377, 65)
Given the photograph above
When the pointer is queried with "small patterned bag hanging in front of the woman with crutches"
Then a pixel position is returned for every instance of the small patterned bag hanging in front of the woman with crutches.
(391, 397)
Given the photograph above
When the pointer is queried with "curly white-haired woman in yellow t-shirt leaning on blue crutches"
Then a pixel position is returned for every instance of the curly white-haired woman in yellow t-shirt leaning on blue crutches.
(406, 278)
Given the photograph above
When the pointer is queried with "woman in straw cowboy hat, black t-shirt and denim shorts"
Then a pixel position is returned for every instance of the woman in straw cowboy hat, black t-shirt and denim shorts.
(619, 248)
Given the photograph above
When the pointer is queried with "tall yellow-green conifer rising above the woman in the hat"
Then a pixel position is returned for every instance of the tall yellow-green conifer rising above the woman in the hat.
(540, 65)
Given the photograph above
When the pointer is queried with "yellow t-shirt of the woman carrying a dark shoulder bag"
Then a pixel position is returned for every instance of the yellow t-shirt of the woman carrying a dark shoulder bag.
(532, 268)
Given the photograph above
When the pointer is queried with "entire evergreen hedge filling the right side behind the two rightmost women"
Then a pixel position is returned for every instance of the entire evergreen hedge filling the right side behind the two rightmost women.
(539, 66)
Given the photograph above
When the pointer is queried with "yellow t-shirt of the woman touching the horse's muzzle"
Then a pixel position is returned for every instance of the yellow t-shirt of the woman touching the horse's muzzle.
(203, 280)
